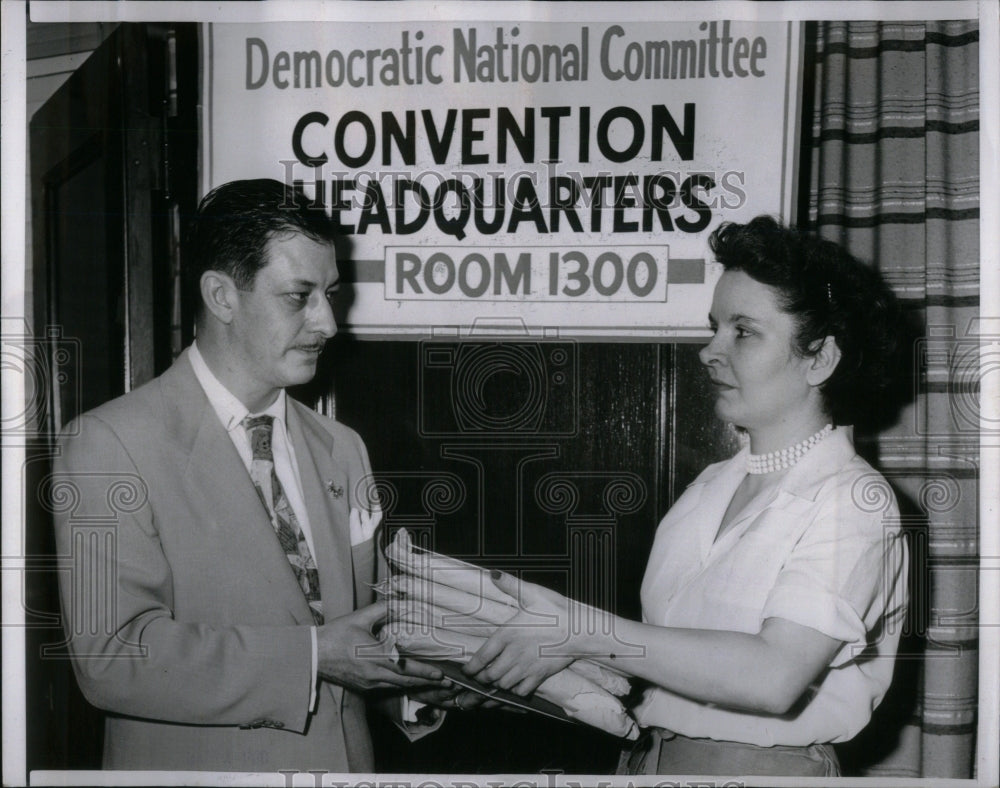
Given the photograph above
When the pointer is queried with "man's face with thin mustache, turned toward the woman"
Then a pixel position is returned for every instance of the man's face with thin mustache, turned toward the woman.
(280, 325)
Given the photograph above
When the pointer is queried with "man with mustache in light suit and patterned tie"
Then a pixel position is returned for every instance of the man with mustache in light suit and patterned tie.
(220, 605)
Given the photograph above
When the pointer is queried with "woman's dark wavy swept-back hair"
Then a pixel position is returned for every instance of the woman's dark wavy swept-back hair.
(829, 293)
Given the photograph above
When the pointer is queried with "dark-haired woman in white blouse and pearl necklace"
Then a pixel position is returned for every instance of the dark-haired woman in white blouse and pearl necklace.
(774, 592)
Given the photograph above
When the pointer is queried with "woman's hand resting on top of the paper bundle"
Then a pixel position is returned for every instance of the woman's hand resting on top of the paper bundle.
(533, 645)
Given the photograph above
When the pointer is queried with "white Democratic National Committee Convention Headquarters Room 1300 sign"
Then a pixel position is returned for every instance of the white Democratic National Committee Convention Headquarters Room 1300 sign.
(561, 175)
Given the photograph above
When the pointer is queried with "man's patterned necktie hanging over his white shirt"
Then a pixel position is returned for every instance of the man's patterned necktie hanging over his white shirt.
(286, 525)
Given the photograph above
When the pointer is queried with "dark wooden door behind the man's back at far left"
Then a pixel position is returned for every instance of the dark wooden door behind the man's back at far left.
(113, 165)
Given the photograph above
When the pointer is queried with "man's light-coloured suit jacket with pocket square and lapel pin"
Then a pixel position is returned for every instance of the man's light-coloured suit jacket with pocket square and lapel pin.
(183, 617)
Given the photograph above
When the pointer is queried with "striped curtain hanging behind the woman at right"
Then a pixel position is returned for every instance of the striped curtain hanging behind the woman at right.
(894, 176)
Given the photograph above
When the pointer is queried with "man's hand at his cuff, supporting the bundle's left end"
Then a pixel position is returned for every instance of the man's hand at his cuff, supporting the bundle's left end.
(350, 654)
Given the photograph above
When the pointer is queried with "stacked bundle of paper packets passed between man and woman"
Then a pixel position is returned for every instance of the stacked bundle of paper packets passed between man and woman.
(442, 608)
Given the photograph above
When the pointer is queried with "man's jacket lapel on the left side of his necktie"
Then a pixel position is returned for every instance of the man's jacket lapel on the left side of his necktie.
(215, 477)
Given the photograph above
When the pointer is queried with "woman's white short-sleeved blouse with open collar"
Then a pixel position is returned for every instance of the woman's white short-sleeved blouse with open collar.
(821, 548)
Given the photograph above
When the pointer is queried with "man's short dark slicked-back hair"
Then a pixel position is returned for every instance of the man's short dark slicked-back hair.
(235, 222)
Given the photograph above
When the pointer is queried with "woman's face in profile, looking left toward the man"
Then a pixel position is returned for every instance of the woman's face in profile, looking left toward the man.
(760, 381)
